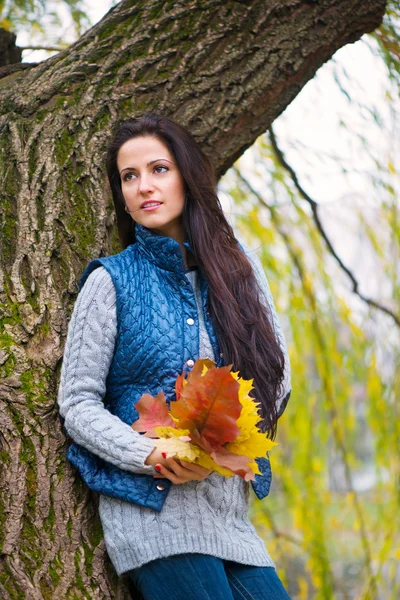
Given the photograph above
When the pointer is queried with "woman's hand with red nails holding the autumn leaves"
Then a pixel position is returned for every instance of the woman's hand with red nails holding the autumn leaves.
(176, 470)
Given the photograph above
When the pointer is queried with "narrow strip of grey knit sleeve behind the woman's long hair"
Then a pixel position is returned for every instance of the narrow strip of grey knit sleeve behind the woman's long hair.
(266, 297)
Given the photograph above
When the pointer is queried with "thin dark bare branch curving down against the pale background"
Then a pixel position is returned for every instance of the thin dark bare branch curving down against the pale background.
(314, 207)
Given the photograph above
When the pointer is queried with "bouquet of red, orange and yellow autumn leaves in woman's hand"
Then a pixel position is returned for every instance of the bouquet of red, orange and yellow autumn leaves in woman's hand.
(212, 423)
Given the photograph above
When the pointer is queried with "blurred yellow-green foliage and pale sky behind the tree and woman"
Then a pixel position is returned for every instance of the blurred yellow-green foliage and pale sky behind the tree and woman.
(317, 197)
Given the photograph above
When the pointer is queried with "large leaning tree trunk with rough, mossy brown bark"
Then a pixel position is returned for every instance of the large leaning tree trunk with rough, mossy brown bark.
(226, 70)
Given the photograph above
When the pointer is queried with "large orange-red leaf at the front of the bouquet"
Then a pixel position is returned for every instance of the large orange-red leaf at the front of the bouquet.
(210, 404)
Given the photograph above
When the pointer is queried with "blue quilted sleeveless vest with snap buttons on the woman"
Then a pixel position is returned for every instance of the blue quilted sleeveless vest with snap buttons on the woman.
(156, 340)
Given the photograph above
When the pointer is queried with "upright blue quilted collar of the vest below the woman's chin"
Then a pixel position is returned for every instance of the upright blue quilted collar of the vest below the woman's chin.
(163, 251)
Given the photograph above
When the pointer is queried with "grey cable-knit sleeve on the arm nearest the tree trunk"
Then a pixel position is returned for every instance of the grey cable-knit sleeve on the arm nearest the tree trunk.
(87, 358)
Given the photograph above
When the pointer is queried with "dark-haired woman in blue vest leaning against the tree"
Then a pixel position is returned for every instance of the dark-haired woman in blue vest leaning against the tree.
(182, 289)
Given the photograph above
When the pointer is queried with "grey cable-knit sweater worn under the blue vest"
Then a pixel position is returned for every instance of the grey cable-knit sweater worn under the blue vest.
(209, 516)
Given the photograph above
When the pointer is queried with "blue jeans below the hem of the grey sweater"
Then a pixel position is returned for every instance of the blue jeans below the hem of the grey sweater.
(203, 577)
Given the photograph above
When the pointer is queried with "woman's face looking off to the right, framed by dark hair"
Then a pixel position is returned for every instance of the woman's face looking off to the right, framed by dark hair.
(152, 185)
